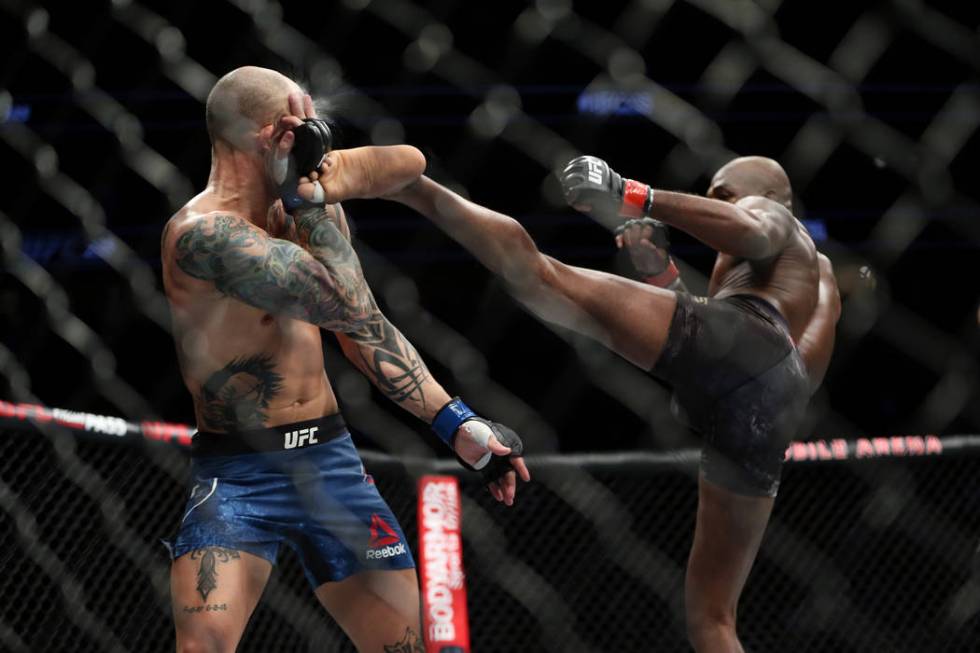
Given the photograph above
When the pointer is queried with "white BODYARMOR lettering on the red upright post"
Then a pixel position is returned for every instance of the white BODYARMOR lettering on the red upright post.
(443, 558)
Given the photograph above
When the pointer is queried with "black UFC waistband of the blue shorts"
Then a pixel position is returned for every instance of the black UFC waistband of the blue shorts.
(284, 437)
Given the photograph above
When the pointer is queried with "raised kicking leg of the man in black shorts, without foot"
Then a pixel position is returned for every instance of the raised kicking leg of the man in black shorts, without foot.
(630, 318)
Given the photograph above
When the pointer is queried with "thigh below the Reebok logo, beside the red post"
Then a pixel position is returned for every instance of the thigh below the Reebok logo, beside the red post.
(378, 609)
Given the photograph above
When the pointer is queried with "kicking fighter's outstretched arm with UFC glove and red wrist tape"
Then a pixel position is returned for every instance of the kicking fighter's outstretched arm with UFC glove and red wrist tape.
(754, 228)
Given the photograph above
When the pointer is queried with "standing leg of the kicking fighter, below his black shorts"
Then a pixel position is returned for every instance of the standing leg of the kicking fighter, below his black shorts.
(726, 541)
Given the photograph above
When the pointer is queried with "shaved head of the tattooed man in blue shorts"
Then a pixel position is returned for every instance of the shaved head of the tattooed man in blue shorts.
(245, 100)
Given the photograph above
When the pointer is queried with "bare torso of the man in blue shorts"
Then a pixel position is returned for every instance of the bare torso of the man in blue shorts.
(244, 367)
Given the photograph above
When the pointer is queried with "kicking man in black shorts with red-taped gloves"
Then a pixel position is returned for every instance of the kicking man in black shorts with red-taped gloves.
(743, 361)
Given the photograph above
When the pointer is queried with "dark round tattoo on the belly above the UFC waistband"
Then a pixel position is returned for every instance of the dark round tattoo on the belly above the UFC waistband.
(237, 395)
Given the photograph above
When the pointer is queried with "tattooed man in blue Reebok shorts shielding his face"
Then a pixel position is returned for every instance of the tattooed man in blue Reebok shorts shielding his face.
(254, 267)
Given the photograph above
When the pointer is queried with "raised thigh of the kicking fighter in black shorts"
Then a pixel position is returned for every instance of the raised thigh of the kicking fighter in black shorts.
(631, 318)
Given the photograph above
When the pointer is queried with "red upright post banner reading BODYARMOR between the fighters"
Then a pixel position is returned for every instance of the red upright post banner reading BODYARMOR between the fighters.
(444, 618)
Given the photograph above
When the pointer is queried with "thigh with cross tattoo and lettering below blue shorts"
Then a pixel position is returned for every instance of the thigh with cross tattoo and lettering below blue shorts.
(213, 592)
